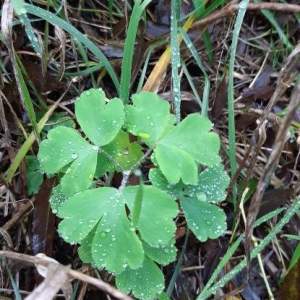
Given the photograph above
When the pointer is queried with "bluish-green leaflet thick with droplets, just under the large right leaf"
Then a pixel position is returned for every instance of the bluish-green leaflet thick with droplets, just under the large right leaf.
(212, 182)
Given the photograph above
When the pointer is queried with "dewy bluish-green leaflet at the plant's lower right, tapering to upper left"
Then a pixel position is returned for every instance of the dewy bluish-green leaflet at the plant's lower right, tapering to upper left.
(204, 219)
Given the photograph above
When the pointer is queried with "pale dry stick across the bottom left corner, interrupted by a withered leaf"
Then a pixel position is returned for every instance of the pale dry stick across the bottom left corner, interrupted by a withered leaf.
(105, 287)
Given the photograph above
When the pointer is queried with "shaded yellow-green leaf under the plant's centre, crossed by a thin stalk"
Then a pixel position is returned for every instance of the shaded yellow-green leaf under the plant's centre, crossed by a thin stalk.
(125, 153)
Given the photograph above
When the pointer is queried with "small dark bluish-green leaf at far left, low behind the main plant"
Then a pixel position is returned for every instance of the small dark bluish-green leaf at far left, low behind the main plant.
(34, 176)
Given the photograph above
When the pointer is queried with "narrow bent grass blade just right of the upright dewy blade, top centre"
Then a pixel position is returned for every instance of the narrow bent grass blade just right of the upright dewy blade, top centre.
(194, 52)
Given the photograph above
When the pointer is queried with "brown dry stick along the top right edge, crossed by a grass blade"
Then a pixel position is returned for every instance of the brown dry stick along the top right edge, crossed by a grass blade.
(230, 9)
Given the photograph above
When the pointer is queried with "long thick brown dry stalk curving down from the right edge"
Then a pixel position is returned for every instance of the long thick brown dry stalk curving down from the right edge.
(270, 166)
